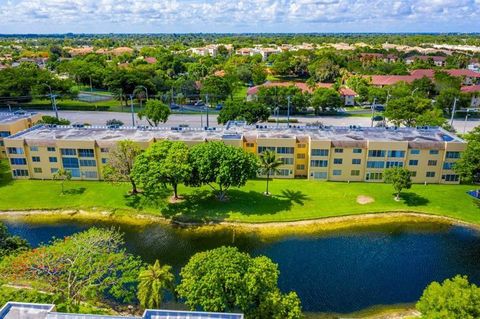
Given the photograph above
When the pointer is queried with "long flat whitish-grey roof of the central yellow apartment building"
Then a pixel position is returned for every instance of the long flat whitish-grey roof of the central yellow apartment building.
(237, 132)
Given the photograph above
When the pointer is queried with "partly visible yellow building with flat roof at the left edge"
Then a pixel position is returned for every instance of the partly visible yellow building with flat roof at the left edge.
(13, 122)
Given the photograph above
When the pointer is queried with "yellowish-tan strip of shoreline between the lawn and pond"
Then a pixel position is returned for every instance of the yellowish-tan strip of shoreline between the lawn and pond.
(301, 226)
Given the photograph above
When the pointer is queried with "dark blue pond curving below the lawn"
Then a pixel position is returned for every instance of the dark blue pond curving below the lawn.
(337, 271)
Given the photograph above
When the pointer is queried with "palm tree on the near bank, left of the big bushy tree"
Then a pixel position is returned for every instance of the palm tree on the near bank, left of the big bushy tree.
(152, 282)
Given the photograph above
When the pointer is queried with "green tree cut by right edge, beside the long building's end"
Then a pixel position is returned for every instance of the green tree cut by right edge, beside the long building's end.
(468, 166)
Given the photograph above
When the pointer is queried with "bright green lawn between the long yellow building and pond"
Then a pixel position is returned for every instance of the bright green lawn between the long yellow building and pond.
(292, 200)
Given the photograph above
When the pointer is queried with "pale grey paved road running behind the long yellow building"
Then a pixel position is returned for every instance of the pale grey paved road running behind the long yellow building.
(195, 120)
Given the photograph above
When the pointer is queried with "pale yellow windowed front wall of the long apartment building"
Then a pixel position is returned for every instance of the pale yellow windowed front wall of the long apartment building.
(304, 157)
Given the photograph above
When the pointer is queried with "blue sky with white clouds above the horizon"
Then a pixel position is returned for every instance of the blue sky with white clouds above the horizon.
(167, 16)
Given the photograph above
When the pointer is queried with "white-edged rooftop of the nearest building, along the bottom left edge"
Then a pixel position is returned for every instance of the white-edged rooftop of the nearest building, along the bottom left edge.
(20, 310)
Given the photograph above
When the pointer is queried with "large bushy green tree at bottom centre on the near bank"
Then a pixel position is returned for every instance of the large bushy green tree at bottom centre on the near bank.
(225, 279)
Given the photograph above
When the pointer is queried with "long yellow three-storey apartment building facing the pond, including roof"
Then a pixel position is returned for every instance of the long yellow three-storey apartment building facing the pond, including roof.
(320, 153)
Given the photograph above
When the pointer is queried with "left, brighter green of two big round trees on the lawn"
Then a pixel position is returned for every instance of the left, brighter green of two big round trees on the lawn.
(163, 163)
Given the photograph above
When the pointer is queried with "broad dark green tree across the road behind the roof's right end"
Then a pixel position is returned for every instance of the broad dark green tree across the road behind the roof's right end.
(406, 110)
